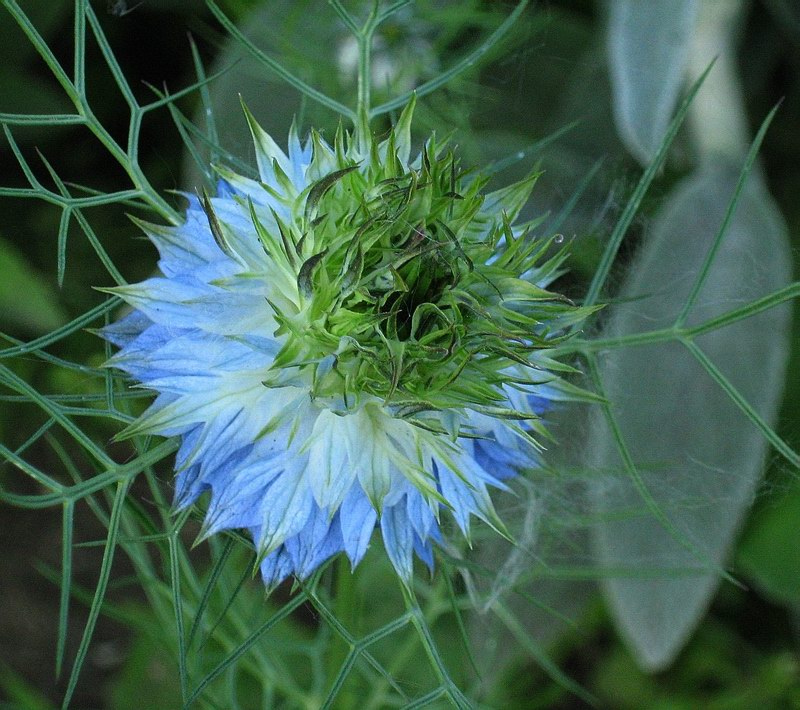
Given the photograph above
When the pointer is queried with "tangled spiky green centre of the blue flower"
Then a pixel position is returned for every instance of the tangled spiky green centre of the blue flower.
(412, 287)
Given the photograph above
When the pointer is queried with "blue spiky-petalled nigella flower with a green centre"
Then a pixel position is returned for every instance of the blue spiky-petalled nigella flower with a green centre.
(356, 339)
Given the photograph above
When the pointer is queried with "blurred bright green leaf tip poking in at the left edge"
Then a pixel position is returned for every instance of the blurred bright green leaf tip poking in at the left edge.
(28, 301)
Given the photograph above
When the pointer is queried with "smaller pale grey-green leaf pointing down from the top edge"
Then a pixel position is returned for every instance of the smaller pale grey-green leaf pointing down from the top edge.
(648, 45)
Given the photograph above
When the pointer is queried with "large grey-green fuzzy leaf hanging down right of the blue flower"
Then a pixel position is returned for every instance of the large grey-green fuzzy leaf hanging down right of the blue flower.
(698, 456)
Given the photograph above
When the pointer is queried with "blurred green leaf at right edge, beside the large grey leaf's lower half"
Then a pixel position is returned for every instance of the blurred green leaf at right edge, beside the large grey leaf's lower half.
(769, 554)
